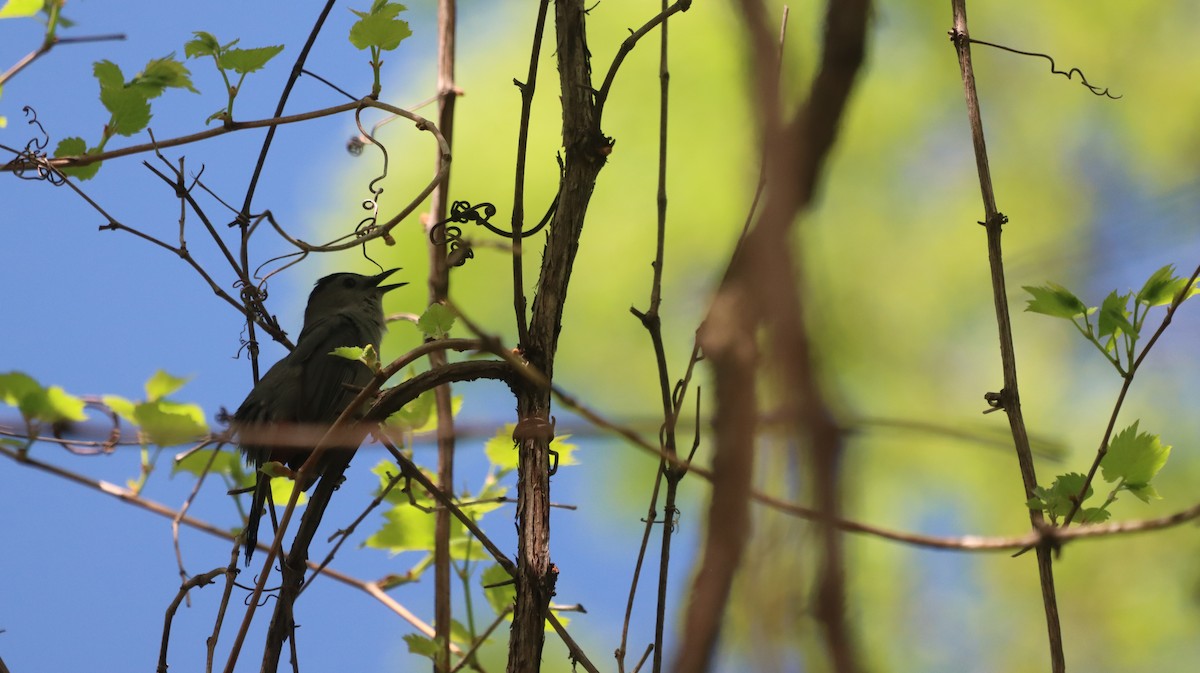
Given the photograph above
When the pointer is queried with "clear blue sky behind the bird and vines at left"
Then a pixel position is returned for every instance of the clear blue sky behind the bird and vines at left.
(87, 579)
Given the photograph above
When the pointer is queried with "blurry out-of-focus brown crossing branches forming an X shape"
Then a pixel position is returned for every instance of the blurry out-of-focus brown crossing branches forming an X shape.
(763, 287)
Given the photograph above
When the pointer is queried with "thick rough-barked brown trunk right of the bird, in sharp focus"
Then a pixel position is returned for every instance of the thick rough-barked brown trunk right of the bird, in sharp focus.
(585, 148)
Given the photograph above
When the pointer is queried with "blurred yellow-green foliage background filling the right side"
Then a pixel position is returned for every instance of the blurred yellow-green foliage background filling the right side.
(898, 290)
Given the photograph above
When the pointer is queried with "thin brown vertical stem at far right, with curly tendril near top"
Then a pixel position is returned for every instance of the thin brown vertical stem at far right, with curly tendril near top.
(1010, 398)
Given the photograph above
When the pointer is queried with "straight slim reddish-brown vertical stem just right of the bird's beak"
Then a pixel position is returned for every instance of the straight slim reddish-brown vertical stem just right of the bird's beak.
(440, 287)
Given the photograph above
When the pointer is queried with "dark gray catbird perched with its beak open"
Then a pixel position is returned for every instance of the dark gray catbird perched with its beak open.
(292, 407)
